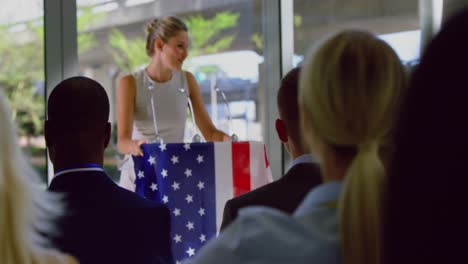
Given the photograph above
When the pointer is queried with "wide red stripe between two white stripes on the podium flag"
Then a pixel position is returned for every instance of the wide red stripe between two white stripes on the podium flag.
(241, 167)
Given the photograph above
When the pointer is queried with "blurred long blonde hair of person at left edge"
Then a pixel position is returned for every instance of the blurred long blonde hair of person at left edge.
(25, 208)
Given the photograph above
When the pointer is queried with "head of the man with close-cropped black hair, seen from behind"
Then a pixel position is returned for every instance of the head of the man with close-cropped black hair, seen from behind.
(77, 129)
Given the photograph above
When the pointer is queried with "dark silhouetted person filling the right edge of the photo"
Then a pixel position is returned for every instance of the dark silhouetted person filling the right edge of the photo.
(426, 213)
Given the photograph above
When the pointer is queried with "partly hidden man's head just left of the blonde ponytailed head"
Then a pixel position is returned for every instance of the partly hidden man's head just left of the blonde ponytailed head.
(288, 125)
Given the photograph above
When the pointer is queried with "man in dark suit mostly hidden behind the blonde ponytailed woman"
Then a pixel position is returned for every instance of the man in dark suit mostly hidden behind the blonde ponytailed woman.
(303, 174)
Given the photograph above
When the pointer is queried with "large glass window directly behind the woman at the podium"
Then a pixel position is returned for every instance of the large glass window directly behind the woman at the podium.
(225, 56)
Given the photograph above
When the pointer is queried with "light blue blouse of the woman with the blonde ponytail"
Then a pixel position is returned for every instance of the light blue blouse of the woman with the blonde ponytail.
(265, 235)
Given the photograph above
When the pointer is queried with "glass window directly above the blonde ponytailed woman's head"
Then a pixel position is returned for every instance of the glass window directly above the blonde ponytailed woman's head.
(395, 21)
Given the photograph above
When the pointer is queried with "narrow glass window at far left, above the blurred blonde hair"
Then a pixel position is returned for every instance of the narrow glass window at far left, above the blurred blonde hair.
(22, 74)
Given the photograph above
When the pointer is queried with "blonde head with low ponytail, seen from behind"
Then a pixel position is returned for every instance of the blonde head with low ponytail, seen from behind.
(350, 88)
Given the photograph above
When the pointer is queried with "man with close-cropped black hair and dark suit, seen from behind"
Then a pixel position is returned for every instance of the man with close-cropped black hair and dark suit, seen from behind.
(101, 222)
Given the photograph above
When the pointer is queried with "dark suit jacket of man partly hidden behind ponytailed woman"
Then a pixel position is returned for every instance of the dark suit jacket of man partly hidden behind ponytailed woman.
(284, 194)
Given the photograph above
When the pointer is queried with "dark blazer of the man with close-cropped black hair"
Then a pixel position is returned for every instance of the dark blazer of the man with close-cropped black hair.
(104, 223)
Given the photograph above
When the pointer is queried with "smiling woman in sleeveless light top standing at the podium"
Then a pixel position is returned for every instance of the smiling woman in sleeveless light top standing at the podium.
(152, 102)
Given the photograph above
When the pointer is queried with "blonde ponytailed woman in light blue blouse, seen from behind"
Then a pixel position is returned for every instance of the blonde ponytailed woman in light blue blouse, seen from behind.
(350, 87)
